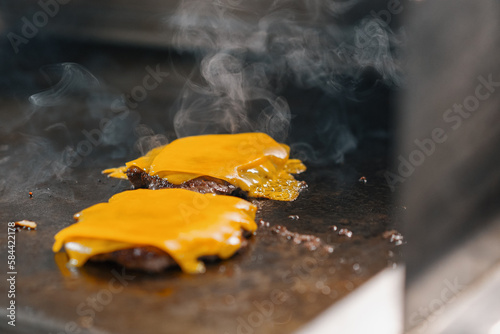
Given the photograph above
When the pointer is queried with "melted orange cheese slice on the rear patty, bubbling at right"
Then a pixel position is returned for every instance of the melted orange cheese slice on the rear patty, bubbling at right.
(253, 162)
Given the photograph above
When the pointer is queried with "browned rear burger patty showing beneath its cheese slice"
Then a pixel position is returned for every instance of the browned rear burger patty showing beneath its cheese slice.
(203, 184)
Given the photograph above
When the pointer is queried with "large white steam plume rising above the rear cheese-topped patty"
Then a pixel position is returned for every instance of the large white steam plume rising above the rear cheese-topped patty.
(250, 52)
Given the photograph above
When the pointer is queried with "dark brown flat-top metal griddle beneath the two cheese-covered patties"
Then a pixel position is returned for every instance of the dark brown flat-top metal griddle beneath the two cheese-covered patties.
(275, 286)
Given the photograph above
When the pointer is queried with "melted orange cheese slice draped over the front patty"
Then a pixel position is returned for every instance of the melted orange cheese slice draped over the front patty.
(183, 223)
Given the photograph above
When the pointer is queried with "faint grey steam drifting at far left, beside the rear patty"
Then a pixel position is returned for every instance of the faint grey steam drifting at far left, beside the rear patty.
(71, 124)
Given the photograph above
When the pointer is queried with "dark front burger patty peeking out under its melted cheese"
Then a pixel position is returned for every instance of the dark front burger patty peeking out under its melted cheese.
(149, 258)
